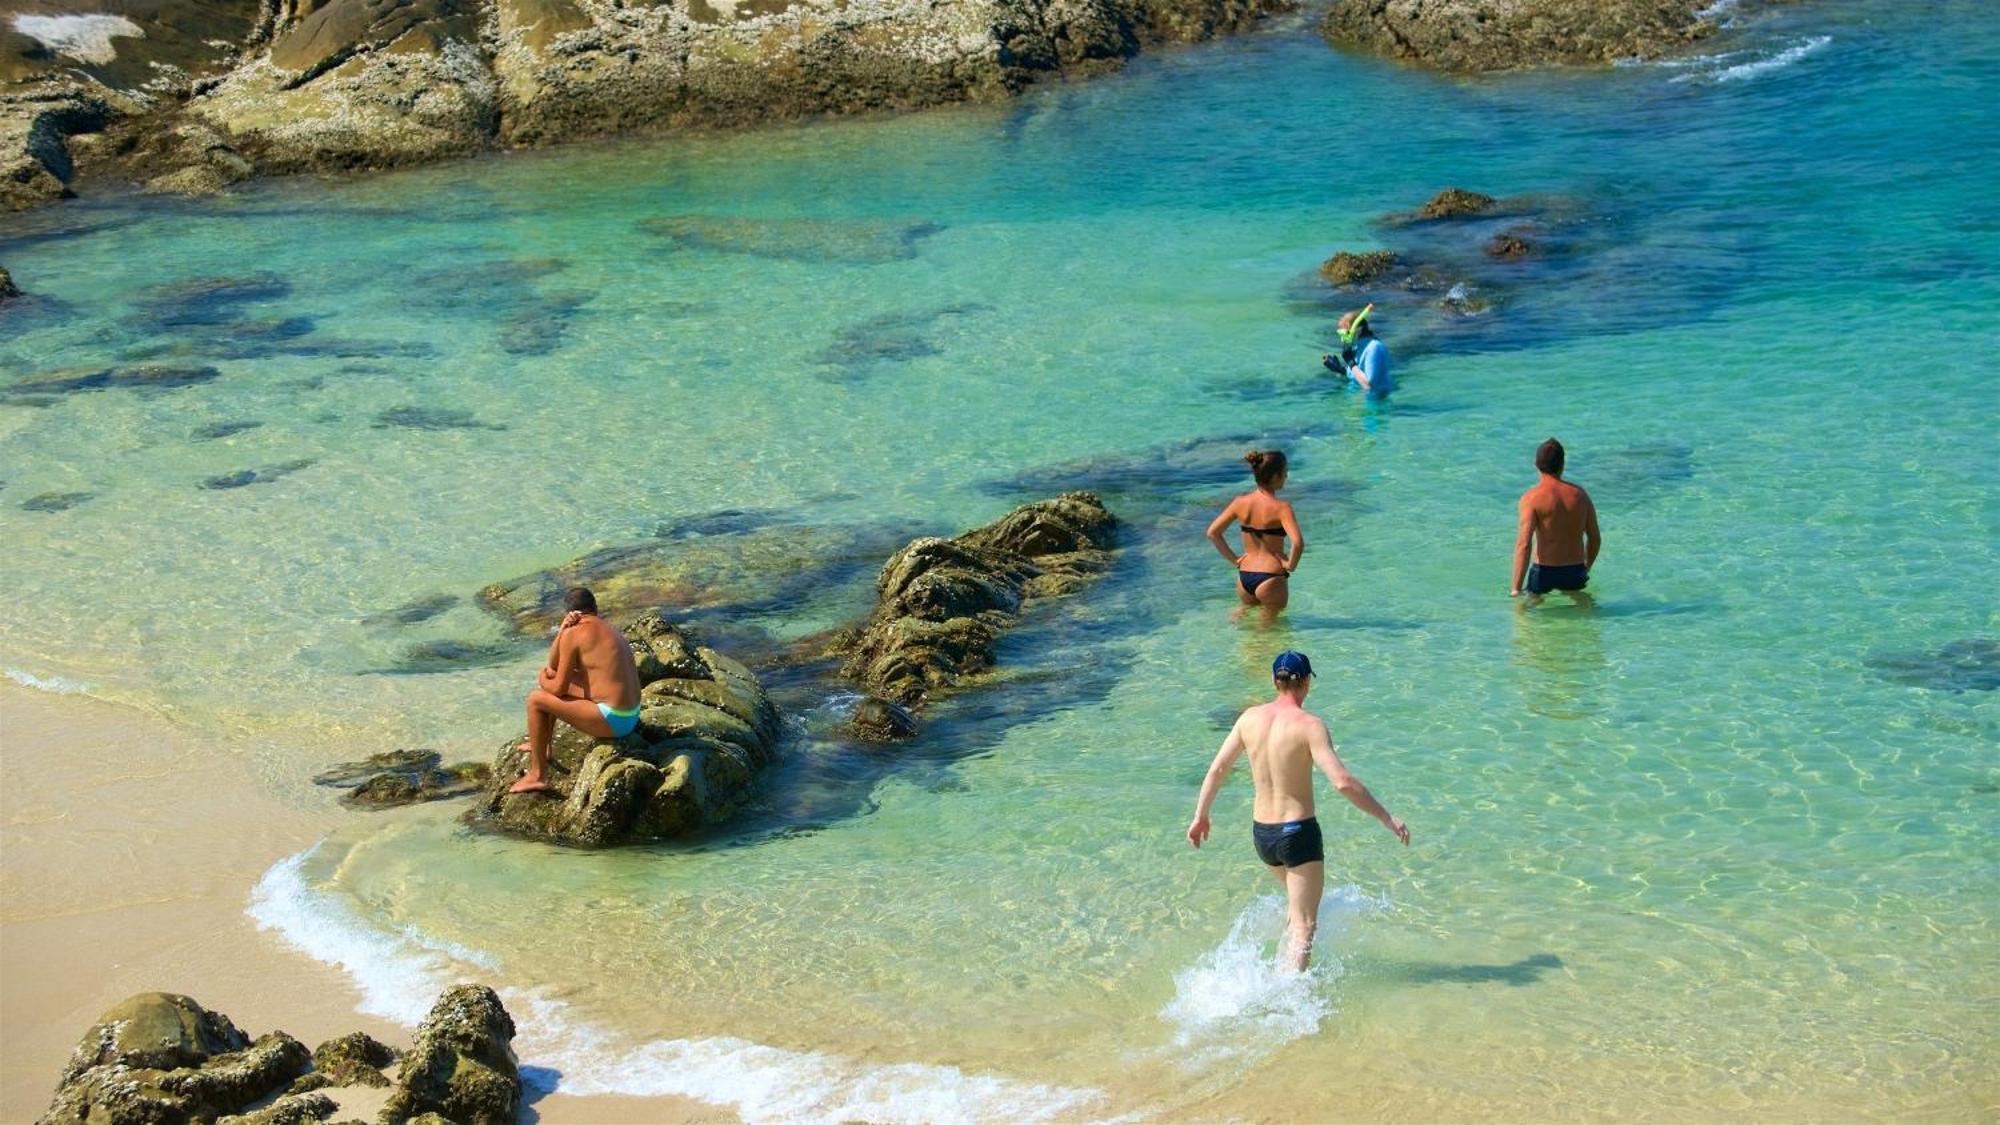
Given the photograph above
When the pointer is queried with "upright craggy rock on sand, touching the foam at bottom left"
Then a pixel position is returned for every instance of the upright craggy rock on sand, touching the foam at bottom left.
(463, 1064)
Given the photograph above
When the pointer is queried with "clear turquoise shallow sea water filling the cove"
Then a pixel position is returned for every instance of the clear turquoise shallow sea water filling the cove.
(1689, 854)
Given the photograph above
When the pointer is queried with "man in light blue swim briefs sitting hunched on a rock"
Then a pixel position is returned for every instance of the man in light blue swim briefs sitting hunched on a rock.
(589, 682)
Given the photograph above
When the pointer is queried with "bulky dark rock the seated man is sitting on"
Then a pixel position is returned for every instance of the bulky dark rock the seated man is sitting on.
(705, 734)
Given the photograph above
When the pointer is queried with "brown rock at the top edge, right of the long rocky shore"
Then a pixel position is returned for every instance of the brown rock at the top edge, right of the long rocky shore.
(1503, 35)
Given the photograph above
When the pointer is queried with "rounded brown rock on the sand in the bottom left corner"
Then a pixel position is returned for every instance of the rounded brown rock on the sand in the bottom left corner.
(161, 1058)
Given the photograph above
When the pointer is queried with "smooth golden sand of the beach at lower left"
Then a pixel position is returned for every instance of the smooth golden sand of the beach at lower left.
(129, 854)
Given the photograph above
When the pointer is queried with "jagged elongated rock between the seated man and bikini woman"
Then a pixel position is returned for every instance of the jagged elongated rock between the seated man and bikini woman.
(945, 602)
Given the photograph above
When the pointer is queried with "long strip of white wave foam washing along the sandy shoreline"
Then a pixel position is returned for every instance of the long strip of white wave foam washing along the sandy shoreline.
(401, 974)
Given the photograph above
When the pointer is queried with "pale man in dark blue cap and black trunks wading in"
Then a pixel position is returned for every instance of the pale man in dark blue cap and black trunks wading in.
(1285, 744)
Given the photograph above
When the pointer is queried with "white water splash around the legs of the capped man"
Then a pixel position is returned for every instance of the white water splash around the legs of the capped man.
(1241, 1002)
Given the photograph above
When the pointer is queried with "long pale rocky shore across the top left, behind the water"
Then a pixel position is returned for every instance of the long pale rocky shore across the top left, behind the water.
(195, 95)
